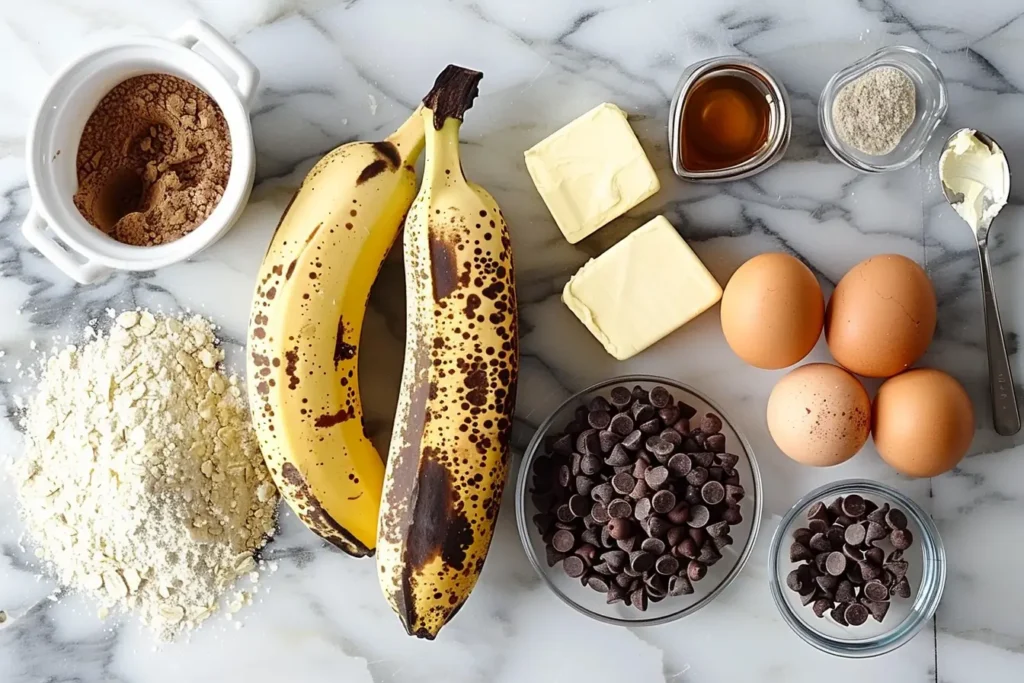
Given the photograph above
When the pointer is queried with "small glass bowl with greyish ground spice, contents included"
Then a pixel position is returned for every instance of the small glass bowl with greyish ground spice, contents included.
(879, 114)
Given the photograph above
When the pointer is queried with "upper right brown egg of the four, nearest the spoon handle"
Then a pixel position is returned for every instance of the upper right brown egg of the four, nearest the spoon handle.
(882, 317)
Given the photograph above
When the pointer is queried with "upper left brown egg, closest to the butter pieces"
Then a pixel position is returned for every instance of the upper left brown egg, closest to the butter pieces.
(773, 312)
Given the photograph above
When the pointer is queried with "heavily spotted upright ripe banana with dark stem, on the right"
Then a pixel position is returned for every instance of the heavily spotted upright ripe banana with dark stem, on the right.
(449, 456)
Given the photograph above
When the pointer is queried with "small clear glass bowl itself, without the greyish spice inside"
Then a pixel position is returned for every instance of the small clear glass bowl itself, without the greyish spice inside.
(931, 108)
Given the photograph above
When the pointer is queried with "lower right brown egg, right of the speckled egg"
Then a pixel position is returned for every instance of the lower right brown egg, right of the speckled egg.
(923, 422)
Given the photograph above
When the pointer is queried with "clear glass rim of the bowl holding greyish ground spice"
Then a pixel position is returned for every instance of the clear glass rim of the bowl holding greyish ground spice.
(830, 92)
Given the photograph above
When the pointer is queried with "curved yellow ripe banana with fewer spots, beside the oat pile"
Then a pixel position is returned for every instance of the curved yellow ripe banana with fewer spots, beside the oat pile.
(307, 318)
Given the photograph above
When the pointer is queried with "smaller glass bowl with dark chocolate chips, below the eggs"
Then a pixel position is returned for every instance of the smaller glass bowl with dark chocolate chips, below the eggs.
(858, 569)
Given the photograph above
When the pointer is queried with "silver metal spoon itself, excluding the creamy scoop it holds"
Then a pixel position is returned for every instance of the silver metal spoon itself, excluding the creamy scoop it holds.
(1006, 415)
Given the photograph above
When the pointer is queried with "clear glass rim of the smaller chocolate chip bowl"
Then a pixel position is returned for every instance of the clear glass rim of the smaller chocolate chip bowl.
(933, 578)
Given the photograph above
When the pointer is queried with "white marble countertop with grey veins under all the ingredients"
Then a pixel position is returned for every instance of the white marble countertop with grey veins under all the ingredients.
(337, 71)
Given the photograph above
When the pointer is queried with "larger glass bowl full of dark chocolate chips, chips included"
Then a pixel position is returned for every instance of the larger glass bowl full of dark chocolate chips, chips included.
(638, 502)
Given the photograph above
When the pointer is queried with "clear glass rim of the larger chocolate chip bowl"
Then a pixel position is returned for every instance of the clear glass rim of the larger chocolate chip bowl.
(523, 482)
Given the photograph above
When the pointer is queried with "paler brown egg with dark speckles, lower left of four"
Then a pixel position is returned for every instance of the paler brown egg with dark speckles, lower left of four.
(820, 415)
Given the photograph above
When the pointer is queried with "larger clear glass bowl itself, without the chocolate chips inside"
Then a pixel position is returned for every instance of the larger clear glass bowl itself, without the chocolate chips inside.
(719, 576)
